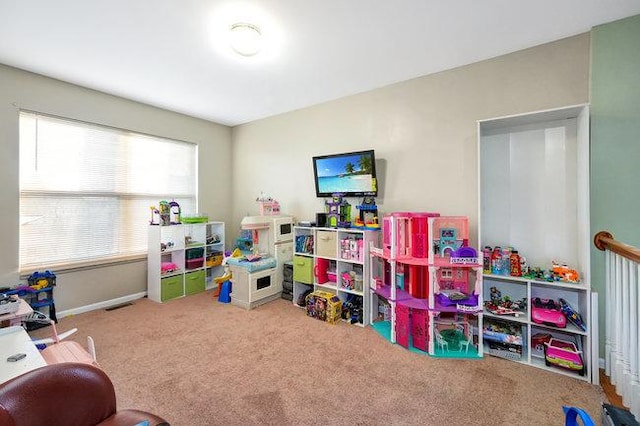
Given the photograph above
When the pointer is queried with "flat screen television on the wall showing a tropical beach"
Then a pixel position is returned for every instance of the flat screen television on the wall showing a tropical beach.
(351, 174)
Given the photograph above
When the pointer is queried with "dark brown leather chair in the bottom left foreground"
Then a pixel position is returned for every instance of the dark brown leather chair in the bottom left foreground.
(66, 394)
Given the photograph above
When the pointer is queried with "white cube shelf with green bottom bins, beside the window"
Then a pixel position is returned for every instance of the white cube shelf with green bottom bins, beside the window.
(183, 259)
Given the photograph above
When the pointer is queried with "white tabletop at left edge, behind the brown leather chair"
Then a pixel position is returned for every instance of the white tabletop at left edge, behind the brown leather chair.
(15, 340)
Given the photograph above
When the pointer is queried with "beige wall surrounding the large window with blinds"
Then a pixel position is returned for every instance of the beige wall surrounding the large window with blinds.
(20, 89)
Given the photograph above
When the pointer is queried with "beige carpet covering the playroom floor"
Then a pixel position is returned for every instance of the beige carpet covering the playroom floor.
(195, 361)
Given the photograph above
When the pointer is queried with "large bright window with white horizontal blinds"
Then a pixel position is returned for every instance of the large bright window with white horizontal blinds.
(86, 191)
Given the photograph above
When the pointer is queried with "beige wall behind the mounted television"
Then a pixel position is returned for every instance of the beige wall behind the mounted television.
(423, 131)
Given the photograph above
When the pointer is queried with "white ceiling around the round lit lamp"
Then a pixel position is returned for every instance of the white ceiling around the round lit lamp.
(173, 54)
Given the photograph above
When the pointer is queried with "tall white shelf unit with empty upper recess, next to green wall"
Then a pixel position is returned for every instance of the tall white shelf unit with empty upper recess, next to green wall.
(534, 197)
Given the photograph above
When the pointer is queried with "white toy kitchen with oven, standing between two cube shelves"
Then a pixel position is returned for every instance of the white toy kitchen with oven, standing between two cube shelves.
(259, 281)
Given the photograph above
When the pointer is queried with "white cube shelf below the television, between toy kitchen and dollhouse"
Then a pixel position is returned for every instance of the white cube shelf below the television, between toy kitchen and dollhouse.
(333, 260)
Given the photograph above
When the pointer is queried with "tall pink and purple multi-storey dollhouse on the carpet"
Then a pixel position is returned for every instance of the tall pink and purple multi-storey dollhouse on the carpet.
(434, 298)
